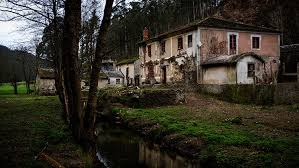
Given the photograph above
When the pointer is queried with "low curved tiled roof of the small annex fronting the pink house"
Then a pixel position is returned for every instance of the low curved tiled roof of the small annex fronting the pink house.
(230, 59)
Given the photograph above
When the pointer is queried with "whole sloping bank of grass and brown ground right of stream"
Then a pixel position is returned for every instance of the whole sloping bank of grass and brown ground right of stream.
(230, 134)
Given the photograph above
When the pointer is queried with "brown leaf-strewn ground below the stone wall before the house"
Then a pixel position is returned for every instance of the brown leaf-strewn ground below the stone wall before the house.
(283, 119)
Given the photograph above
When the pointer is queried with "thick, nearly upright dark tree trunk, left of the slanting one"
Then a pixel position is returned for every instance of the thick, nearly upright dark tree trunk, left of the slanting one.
(71, 70)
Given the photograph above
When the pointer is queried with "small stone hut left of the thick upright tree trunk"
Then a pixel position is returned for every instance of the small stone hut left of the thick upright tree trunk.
(45, 82)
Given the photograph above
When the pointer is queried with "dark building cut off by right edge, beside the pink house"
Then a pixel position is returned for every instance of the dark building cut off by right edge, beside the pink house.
(289, 63)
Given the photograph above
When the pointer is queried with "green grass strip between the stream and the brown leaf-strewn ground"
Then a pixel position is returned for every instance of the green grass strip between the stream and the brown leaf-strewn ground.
(230, 143)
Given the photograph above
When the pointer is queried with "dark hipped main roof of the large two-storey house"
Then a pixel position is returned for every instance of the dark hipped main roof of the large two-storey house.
(212, 22)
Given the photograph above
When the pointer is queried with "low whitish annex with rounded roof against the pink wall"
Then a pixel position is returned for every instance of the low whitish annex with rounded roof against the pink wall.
(246, 68)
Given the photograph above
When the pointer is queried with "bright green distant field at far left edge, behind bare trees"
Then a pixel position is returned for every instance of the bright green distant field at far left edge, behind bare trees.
(7, 89)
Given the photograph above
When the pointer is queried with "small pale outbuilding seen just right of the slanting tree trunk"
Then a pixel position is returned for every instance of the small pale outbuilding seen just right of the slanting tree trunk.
(110, 79)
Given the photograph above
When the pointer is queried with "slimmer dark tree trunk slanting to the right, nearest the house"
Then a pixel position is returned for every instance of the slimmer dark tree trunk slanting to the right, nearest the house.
(89, 119)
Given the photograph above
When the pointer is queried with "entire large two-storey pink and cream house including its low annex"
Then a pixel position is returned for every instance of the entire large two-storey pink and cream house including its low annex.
(198, 48)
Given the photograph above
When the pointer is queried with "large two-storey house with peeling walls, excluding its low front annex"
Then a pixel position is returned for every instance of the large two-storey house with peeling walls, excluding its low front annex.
(172, 56)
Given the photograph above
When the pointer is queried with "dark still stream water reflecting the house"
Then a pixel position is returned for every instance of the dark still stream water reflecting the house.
(118, 147)
